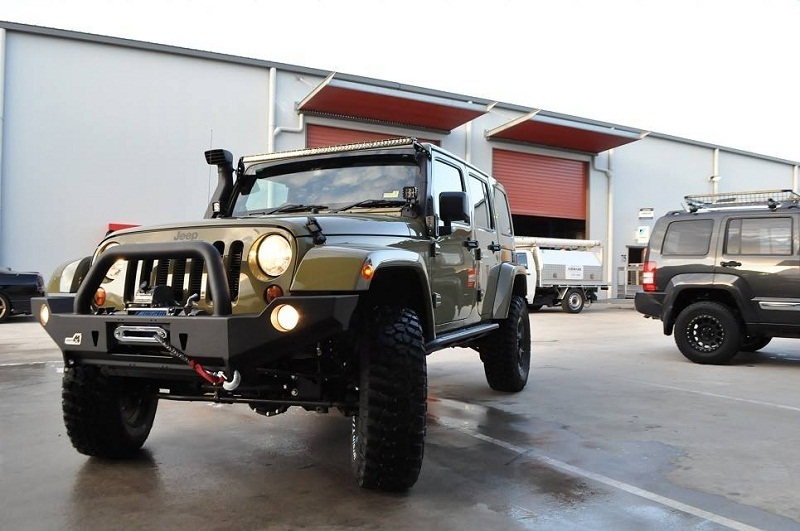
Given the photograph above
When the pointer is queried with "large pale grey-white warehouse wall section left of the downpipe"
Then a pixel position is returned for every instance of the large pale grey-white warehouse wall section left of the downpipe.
(97, 133)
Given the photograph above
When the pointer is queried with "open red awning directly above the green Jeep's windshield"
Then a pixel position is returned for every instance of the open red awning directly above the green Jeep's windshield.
(369, 102)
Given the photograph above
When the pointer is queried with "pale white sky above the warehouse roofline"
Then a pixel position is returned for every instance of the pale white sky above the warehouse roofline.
(725, 72)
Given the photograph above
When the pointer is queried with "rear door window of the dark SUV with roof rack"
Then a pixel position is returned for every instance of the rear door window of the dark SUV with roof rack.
(764, 236)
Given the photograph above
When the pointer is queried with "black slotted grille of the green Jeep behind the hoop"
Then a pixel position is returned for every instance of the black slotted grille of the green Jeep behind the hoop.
(185, 276)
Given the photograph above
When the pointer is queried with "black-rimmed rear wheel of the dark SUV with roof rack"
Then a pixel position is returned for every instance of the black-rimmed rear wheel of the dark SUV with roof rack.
(708, 332)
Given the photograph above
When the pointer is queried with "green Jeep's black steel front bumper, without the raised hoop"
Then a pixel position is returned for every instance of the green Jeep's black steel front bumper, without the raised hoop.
(225, 341)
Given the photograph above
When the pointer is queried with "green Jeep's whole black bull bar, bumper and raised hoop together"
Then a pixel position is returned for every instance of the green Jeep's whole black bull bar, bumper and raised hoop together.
(84, 336)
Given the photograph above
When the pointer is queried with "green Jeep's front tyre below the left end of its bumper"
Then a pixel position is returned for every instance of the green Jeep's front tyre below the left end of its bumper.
(106, 417)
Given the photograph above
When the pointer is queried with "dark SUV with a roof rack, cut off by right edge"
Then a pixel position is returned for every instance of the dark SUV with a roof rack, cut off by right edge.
(725, 273)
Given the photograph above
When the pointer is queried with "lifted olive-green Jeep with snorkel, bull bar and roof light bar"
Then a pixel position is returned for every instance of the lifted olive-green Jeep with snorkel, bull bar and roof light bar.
(320, 278)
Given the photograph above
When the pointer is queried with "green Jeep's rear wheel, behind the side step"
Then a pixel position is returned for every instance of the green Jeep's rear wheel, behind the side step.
(506, 352)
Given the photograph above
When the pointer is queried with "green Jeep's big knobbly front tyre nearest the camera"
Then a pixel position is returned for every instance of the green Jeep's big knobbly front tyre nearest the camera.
(389, 429)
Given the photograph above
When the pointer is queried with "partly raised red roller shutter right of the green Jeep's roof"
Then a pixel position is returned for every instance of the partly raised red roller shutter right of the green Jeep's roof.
(542, 186)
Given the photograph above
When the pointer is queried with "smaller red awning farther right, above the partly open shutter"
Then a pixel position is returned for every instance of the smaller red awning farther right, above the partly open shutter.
(561, 133)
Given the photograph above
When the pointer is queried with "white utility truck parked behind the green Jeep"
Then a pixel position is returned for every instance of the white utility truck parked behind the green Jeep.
(561, 271)
